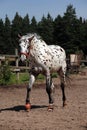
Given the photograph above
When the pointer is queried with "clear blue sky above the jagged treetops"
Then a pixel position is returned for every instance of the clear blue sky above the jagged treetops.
(38, 8)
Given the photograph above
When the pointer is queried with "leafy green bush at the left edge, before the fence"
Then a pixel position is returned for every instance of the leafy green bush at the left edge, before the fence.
(5, 73)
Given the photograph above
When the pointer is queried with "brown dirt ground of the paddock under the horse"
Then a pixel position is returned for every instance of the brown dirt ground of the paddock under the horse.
(73, 117)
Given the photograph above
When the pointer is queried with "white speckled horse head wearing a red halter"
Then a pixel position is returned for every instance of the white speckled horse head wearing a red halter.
(25, 46)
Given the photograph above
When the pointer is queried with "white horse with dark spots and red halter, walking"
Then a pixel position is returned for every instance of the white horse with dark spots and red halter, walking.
(44, 59)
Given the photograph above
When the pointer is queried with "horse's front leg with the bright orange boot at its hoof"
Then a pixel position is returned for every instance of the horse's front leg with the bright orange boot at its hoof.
(31, 82)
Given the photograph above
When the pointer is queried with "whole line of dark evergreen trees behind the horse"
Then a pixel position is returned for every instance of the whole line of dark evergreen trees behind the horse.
(67, 31)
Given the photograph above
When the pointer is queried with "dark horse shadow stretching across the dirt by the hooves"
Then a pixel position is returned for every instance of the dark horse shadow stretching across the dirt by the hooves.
(22, 108)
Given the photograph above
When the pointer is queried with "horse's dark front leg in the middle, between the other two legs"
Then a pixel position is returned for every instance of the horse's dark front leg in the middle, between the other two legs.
(50, 92)
